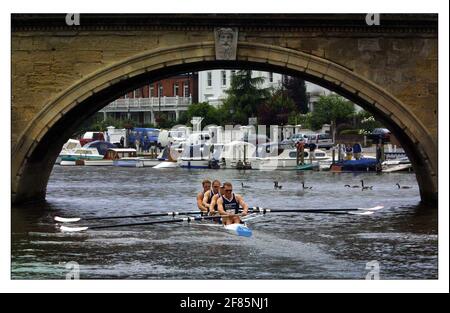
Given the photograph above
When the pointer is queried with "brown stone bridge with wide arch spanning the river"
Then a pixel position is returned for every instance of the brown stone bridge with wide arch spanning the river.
(63, 74)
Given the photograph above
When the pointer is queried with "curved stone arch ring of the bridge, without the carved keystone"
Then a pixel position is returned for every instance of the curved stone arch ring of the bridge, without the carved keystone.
(38, 146)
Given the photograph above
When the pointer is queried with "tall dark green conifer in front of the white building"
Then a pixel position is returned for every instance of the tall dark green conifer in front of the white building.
(243, 97)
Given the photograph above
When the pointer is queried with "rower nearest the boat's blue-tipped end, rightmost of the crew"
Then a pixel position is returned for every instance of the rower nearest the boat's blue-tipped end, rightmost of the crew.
(229, 204)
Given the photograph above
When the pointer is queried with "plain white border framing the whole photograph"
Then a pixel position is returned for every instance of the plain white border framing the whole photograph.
(280, 6)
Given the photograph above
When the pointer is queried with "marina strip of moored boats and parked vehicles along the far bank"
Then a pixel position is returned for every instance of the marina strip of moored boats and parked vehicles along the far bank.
(197, 150)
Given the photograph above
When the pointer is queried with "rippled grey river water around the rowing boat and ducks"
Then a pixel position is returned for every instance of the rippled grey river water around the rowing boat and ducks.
(401, 240)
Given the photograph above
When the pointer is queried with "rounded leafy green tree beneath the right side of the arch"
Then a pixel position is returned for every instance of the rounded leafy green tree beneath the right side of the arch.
(331, 108)
